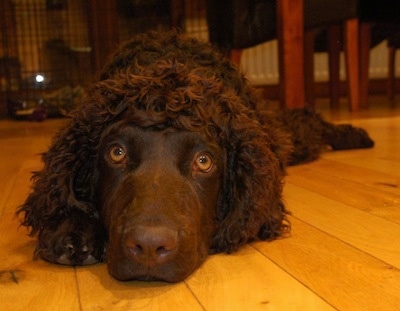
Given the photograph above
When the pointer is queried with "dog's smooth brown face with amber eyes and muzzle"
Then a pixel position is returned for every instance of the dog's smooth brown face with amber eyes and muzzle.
(158, 192)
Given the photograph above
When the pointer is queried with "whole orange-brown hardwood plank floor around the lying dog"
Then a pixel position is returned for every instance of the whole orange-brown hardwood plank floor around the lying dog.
(343, 253)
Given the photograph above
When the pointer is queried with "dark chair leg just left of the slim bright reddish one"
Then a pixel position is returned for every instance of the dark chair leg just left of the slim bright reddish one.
(334, 47)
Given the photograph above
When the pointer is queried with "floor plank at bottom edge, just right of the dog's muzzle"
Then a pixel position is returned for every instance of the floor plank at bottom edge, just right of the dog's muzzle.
(246, 280)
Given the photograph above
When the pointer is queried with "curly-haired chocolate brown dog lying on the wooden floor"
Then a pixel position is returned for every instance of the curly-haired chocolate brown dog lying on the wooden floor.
(166, 161)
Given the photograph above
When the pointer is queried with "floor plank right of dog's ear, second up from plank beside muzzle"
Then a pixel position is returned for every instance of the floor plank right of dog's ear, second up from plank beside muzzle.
(364, 231)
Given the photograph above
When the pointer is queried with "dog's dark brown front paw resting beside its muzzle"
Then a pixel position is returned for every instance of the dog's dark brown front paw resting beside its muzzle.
(76, 240)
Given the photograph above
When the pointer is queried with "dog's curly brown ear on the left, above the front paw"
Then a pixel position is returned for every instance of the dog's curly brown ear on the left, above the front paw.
(66, 180)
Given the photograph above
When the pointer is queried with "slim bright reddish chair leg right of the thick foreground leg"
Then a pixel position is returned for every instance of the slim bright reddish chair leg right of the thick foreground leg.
(352, 53)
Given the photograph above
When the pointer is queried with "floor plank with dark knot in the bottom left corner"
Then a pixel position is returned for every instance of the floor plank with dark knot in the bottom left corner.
(26, 284)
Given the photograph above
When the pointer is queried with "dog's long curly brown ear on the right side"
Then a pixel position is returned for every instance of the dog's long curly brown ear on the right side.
(251, 205)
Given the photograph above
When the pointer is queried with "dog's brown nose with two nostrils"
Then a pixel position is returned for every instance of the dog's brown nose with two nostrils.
(152, 245)
